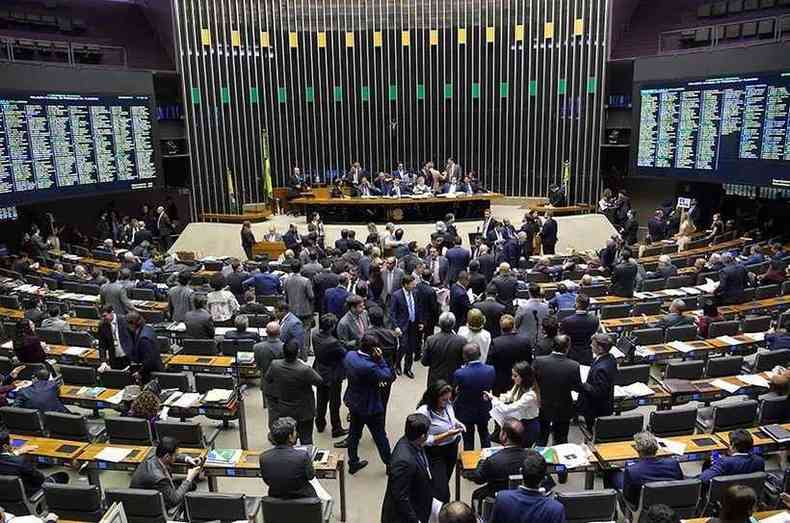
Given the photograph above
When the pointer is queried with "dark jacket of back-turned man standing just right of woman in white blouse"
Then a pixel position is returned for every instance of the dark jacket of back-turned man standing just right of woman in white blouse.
(557, 375)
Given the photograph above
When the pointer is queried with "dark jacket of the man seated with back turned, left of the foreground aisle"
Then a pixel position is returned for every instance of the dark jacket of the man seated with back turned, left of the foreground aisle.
(288, 471)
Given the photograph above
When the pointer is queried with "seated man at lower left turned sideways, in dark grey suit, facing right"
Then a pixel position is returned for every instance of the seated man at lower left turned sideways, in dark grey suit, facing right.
(155, 473)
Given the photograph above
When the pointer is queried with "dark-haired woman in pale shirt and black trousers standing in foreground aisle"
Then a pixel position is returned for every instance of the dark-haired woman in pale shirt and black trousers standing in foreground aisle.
(443, 436)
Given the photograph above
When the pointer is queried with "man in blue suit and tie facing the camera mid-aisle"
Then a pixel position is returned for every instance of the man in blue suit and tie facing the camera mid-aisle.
(404, 315)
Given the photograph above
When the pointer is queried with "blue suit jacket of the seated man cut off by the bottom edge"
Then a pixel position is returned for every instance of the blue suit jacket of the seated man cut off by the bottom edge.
(525, 506)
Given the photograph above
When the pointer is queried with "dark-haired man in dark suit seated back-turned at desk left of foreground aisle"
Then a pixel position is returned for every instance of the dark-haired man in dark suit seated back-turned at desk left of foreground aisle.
(285, 470)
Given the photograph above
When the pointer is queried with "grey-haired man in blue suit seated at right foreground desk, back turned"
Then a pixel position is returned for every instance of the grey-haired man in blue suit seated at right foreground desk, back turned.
(649, 468)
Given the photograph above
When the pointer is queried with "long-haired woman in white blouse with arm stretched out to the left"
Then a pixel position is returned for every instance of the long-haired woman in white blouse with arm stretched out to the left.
(522, 402)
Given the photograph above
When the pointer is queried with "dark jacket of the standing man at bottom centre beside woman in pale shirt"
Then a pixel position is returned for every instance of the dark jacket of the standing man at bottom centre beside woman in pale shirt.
(409, 494)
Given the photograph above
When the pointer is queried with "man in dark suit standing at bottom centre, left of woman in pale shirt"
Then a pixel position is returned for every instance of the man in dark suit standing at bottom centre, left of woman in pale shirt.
(409, 494)
